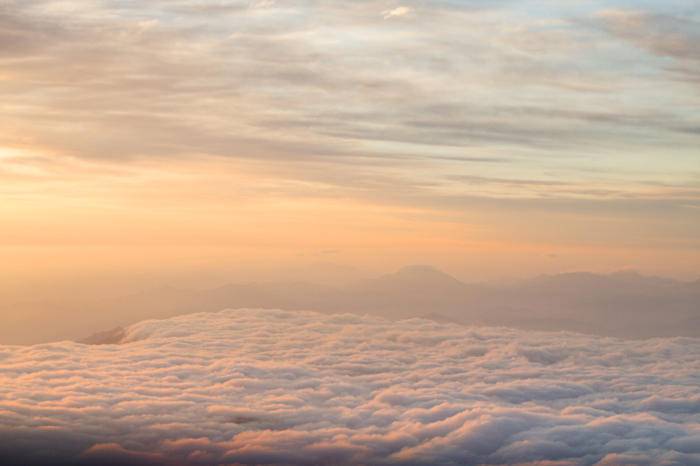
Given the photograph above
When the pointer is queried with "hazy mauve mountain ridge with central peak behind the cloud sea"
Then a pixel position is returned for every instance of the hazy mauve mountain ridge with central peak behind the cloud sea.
(622, 304)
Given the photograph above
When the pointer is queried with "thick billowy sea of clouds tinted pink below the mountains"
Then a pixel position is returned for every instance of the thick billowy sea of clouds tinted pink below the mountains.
(276, 387)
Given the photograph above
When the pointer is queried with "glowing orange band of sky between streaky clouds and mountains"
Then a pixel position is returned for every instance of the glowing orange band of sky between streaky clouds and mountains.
(163, 217)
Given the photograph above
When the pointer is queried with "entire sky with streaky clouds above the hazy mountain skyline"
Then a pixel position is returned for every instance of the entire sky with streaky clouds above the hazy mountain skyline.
(490, 138)
